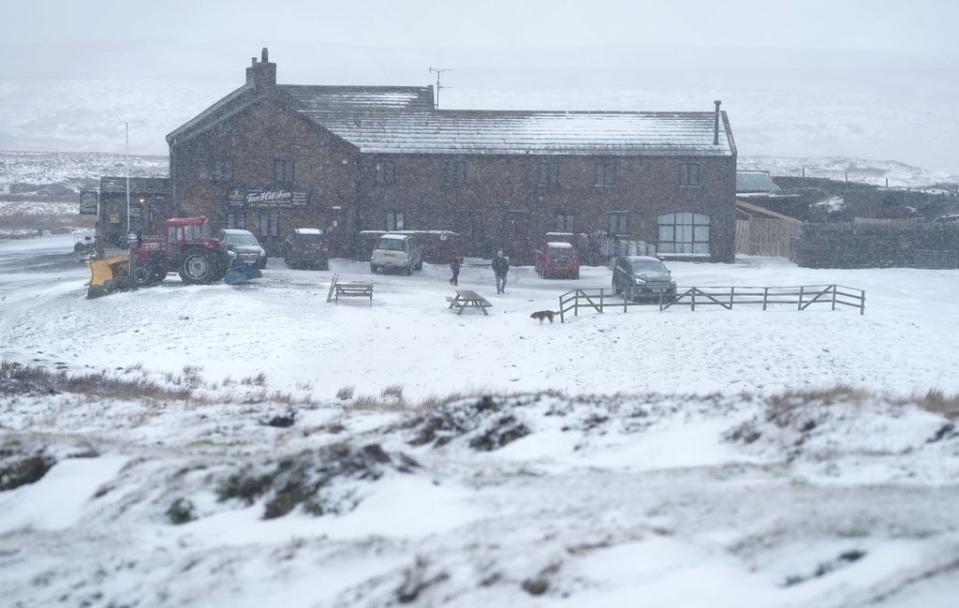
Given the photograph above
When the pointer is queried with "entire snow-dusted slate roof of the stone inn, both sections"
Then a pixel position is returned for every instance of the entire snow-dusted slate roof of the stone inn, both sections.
(402, 120)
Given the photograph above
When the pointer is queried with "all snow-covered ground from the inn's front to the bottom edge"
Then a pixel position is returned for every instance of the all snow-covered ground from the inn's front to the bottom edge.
(663, 467)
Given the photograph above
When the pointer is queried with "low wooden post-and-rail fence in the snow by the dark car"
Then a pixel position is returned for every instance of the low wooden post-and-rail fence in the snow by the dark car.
(802, 297)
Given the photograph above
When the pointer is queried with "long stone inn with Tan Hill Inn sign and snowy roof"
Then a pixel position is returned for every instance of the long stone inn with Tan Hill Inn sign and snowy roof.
(358, 159)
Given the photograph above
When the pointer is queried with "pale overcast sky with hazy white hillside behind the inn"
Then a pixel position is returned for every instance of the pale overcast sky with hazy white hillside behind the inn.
(900, 58)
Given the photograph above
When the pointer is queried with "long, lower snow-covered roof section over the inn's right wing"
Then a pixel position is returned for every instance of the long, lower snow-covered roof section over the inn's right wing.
(515, 133)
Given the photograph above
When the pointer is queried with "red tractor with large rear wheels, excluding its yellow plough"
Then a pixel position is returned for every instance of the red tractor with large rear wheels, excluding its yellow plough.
(186, 247)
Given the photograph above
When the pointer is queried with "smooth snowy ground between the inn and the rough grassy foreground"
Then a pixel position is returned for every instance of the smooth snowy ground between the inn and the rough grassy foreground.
(281, 326)
